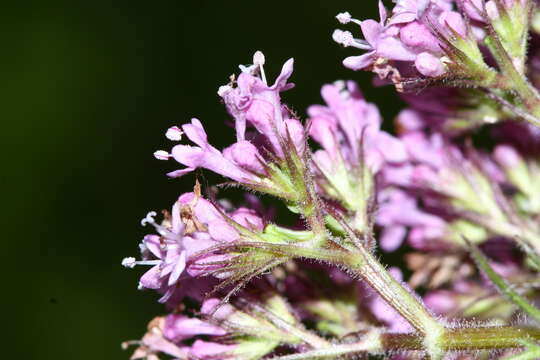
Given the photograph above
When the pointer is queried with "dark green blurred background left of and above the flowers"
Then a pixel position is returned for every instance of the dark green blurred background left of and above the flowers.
(89, 91)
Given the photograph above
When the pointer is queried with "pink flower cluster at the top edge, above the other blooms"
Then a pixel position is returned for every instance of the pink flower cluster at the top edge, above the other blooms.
(414, 34)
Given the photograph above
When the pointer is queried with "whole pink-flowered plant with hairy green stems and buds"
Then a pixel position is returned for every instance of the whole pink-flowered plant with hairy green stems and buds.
(462, 214)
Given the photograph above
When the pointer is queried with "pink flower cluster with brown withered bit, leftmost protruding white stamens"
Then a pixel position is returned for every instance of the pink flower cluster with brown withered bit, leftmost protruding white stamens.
(183, 248)
